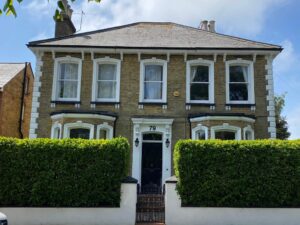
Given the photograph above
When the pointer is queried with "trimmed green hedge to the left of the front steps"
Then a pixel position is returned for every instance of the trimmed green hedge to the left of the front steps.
(62, 173)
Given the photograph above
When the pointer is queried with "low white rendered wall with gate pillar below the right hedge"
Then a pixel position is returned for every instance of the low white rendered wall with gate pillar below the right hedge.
(177, 215)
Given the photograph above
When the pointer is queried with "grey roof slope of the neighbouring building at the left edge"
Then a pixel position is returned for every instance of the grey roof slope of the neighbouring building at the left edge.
(8, 71)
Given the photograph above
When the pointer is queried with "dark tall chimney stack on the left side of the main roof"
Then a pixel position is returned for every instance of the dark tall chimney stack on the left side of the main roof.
(65, 27)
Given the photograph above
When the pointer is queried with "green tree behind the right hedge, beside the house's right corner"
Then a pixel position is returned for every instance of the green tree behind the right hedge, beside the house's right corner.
(281, 123)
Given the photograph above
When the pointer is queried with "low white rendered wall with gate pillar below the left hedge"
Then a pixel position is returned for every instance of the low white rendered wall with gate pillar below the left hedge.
(124, 215)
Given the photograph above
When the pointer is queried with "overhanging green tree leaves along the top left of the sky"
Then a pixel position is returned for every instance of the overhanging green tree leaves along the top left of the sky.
(9, 7)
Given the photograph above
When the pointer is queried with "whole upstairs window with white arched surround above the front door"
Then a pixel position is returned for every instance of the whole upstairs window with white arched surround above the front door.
(153, 80)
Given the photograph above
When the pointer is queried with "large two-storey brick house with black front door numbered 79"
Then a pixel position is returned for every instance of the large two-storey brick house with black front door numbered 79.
(153, 83)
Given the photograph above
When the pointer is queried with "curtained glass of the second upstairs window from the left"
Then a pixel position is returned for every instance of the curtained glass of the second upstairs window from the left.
(107, 81)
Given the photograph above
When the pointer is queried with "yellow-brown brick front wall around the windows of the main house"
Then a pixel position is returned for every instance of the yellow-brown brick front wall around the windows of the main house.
(130, 74)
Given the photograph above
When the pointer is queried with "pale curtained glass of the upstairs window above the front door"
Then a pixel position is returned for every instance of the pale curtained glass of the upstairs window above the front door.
(153, 82)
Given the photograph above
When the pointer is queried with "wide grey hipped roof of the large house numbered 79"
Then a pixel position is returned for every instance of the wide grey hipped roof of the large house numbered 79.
(154, 35)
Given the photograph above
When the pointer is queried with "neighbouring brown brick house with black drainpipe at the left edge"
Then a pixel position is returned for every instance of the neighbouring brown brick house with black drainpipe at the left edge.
(16, 84)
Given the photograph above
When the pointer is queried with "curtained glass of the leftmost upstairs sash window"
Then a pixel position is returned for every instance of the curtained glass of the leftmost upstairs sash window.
(68, 80)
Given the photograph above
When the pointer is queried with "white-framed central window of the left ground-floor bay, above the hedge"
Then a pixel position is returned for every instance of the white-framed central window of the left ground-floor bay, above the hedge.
(79, 130)
